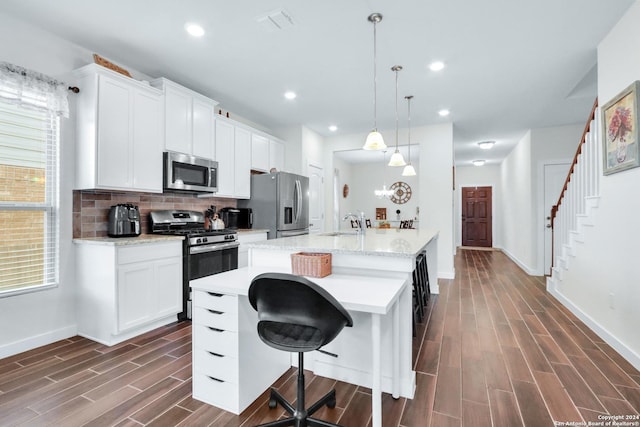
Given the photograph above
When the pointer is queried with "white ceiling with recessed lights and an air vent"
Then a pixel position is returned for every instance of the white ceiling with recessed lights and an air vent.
(510, 65)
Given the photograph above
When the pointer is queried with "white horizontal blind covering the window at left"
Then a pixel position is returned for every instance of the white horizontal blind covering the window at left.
(29, 171)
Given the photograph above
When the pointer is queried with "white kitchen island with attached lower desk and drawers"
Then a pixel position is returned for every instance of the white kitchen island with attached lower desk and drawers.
(371, 276)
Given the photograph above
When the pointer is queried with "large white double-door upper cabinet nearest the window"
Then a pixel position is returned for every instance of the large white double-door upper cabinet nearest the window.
(119, 132)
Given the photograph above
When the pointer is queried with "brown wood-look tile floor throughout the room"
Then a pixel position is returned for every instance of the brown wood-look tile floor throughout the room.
(496, 351)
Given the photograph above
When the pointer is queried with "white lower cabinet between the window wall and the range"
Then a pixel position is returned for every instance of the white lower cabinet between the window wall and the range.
(126, 290)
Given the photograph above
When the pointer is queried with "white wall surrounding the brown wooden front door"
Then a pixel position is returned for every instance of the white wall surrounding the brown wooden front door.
(480, 176)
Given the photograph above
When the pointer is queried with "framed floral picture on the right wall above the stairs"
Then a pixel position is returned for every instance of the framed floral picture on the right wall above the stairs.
(620, 131)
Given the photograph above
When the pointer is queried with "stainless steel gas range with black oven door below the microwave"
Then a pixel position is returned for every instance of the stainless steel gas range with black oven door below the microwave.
(205, 252)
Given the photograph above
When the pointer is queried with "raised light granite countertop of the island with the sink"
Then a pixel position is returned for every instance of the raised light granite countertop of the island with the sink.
(381, 242)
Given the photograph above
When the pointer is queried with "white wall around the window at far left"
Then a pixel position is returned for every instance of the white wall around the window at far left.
(38, 318)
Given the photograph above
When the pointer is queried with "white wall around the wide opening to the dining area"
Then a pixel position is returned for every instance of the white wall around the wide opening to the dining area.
(435, 177)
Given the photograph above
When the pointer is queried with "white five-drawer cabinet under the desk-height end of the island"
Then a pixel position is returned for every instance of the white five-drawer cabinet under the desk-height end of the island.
(231, 365)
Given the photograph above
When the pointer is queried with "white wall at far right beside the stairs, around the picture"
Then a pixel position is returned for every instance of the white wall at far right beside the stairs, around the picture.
(601, 285)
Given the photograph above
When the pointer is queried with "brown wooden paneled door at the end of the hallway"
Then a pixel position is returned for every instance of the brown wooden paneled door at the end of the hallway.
(476, 216)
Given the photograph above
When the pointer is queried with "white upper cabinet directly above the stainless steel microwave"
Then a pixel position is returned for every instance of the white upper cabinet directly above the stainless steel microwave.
(189, 119)
